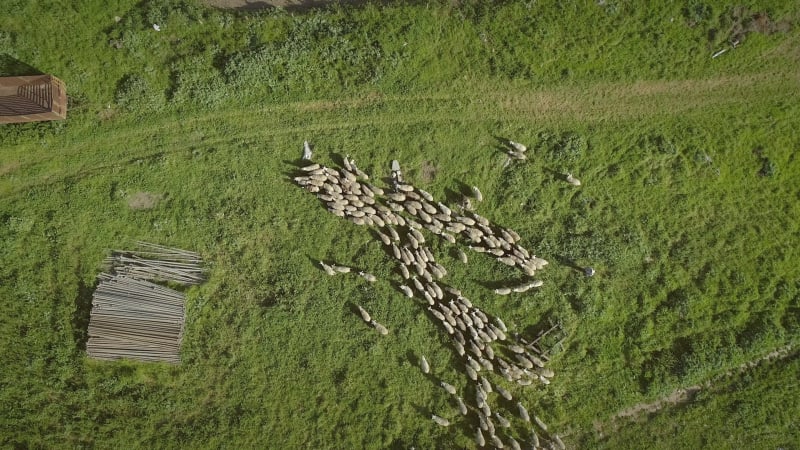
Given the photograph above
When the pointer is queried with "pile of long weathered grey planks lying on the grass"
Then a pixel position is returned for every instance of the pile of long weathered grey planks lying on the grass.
(134, 318)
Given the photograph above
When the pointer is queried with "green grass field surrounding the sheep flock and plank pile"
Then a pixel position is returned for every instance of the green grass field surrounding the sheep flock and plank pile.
(688, 210)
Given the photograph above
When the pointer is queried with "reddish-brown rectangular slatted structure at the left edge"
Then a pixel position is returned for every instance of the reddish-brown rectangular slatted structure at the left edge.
(32, 99)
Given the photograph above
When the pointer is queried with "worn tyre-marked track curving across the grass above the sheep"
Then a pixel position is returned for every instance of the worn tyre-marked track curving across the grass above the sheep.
(603, 102)
